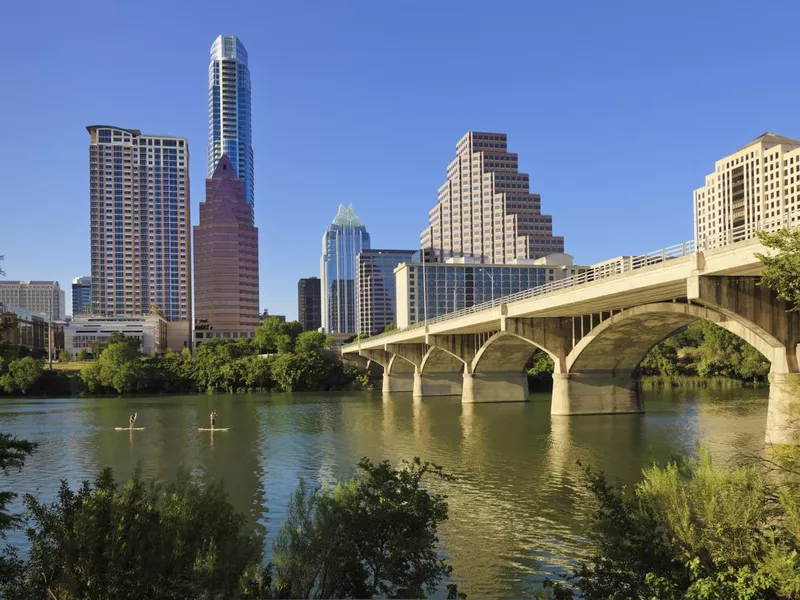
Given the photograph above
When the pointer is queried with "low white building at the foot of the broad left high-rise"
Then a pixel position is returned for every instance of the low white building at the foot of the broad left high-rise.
(151, 331)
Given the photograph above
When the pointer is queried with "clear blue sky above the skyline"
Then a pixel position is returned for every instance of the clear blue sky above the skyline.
(617, 110)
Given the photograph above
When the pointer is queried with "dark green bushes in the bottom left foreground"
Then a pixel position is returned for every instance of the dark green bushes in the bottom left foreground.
(145, 540)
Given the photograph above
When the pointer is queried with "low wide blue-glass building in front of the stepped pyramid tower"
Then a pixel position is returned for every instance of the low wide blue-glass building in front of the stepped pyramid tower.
(463, 282)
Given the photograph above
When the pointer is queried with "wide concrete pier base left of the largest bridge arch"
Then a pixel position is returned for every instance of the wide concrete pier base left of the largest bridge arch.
(595, 393)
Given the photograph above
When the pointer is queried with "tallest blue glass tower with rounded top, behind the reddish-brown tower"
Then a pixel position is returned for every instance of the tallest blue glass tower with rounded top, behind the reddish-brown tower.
(230, 129)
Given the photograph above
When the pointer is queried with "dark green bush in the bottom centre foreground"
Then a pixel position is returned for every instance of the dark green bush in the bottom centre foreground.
(374, 535)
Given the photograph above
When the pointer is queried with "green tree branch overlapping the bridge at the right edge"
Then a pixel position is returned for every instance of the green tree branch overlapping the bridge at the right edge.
(781, 269)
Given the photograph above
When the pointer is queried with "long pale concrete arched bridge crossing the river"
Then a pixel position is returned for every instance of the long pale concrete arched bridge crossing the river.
(597, 328)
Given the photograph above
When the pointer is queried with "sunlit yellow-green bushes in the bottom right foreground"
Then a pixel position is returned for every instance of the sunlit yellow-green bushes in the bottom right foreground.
(693, 530)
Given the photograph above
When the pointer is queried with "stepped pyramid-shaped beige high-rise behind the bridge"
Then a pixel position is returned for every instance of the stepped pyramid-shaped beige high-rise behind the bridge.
(485, 208)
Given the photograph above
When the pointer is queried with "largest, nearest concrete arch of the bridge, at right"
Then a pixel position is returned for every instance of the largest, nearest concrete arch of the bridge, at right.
(618, 344)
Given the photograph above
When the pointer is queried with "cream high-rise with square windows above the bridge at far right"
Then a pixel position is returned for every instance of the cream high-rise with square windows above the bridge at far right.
(756, 187)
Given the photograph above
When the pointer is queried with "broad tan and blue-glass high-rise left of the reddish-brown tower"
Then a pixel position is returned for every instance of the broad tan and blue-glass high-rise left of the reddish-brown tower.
(140, 246)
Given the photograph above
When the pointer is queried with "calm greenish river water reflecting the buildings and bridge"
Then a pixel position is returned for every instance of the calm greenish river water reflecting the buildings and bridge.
(517, 510)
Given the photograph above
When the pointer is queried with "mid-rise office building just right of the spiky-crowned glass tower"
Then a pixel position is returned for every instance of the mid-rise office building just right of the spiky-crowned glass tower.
(375, 289)
